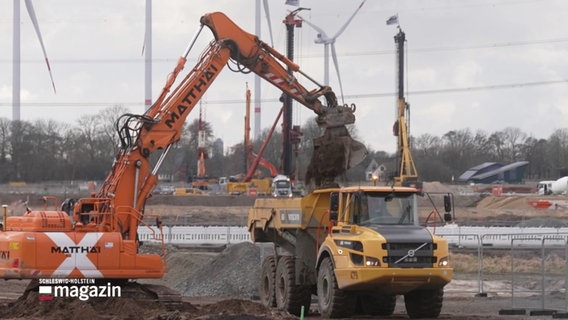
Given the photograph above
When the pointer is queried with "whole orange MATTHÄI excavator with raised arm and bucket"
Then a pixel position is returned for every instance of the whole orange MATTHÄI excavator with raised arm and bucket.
(97, 237)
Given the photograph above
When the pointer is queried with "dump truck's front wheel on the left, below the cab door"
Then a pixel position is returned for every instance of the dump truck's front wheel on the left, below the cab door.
(332, 302)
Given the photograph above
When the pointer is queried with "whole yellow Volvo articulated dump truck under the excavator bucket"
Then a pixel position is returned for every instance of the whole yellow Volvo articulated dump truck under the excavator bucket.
(356, 248)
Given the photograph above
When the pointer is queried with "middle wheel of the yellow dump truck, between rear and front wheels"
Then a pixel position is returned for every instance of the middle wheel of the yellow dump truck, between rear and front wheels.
(290, 296)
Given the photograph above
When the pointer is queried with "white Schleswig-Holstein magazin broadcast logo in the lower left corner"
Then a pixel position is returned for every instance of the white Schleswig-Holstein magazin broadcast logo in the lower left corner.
(83, 289)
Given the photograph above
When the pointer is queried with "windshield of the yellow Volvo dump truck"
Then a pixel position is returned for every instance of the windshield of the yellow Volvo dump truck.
(380, 208)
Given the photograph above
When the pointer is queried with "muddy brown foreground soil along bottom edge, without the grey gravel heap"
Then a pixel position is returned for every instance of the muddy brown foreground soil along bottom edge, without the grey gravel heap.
(457, 305)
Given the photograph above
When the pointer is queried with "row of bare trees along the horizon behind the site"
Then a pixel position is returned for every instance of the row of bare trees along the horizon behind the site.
(48, 150)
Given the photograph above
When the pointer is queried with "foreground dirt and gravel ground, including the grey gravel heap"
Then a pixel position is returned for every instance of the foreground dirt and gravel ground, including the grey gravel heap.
(224, 286)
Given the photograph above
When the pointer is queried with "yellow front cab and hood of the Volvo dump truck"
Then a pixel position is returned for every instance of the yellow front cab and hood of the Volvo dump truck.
(378, 228)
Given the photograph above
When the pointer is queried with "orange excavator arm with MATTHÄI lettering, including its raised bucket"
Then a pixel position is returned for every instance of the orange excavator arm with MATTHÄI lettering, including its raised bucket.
(133, 177)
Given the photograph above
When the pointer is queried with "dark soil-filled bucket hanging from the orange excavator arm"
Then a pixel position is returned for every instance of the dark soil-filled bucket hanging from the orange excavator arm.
(334, 153)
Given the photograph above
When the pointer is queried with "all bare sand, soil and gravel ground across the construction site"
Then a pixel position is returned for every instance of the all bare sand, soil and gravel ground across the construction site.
(222, 283)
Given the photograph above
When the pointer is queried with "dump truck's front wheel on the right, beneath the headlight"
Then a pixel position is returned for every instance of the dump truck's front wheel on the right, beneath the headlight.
(424, 303)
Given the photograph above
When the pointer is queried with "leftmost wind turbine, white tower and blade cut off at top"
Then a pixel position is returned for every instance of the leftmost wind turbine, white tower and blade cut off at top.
(16, 55)
